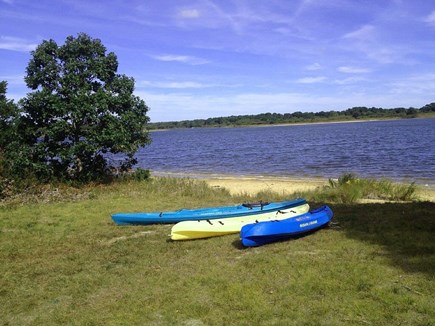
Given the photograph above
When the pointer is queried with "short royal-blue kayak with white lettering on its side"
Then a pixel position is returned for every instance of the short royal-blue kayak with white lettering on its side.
(257, 234)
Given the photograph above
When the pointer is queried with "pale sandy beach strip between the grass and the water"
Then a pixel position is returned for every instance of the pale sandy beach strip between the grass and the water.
(284, 185)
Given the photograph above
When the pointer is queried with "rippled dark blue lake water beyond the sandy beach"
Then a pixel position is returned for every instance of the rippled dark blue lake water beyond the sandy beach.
(401, 150)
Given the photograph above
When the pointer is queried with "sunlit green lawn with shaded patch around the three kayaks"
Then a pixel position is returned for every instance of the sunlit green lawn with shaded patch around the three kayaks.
(65, 262)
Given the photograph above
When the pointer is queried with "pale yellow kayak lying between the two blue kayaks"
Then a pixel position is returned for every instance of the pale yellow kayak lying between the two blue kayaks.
(189, 230)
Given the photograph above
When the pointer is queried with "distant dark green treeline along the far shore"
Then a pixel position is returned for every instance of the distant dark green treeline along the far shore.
(355, 113)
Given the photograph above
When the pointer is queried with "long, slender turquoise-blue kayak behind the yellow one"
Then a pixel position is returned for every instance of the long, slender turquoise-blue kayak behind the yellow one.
(205, 213)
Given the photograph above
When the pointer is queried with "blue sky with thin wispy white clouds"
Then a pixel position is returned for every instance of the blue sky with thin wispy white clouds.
(210, 58)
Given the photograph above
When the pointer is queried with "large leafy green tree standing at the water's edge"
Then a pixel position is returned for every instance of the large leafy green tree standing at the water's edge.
(80, 111)
